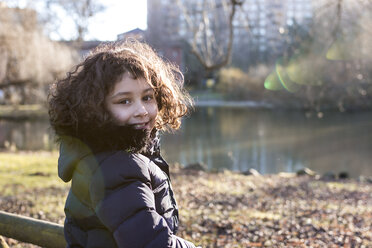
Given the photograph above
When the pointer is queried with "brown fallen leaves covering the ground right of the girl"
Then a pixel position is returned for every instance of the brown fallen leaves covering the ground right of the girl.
(232, 210)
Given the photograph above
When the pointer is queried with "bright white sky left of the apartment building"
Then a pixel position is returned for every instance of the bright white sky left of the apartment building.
(119, 16)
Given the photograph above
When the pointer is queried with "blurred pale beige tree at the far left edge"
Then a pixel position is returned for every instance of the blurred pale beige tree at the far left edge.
(28, 59)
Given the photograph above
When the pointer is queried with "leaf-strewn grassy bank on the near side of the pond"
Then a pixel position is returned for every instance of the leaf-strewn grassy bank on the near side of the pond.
(217, 209)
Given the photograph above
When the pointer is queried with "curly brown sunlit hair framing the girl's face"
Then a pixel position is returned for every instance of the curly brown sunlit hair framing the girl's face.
(78, 100)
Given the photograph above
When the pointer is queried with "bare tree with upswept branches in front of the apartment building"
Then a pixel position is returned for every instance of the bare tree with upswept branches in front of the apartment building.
(210, 24)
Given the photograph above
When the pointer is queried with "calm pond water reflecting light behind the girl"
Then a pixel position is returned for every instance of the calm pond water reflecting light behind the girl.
(242, 138)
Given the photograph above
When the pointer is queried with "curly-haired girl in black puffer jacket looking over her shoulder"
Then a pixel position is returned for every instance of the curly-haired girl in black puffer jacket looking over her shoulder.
(106, 114)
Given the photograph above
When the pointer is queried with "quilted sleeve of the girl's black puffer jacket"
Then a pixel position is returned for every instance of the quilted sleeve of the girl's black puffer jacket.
(124, 202)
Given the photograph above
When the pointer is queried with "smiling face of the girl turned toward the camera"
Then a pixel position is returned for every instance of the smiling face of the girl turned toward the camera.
(132, 102)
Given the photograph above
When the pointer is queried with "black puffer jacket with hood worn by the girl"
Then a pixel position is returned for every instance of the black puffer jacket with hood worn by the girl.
(118, 199)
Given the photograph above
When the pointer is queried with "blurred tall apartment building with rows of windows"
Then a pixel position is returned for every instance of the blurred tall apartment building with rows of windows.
(260, 26)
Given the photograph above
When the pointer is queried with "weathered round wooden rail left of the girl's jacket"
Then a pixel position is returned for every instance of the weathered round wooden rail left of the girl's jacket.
(30, 230)
